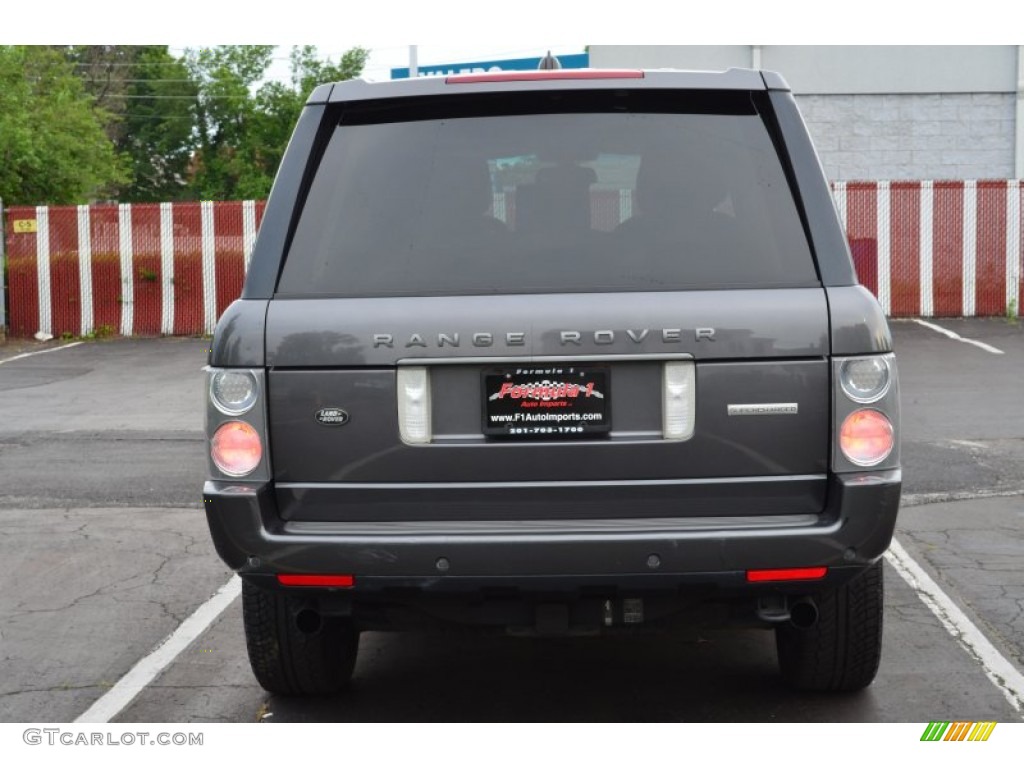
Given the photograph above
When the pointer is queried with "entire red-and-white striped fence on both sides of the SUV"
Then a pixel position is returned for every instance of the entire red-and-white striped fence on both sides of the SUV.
(924, 248)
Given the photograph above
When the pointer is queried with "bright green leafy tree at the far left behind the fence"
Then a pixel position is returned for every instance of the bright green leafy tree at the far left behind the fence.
(53, 146)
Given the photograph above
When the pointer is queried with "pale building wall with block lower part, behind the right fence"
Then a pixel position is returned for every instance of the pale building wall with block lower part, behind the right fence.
(881, 112)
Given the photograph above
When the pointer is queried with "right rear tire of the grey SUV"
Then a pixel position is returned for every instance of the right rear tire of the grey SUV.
(842, 652)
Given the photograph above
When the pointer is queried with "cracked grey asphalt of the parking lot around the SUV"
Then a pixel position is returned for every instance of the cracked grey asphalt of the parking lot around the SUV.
(104, 551)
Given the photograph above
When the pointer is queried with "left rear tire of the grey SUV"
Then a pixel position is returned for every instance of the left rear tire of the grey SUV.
(289, 661)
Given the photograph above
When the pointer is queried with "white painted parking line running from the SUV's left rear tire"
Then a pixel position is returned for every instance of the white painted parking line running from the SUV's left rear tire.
(144, 673)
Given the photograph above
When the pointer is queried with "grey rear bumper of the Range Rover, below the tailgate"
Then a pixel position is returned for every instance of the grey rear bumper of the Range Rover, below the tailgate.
(855, 531)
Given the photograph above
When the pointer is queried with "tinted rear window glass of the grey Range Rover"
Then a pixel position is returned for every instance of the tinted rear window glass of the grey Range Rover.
(595, 194)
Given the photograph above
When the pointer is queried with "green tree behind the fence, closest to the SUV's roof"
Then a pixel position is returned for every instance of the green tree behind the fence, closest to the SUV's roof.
(243, 125)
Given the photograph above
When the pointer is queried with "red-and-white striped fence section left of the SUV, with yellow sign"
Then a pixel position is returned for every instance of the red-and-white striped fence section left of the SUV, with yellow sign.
(147, 269)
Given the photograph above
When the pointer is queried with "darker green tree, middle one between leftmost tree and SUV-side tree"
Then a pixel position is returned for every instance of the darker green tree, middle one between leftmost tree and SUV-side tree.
(152, 101)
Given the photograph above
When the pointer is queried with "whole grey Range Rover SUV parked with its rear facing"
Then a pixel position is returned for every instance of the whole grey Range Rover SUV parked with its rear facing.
(552, 353)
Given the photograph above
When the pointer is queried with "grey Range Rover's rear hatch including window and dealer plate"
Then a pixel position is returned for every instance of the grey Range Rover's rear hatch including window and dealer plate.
(546, 265)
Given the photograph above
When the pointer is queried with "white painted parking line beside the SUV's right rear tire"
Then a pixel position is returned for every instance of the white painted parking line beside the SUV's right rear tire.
(1004, 675)
